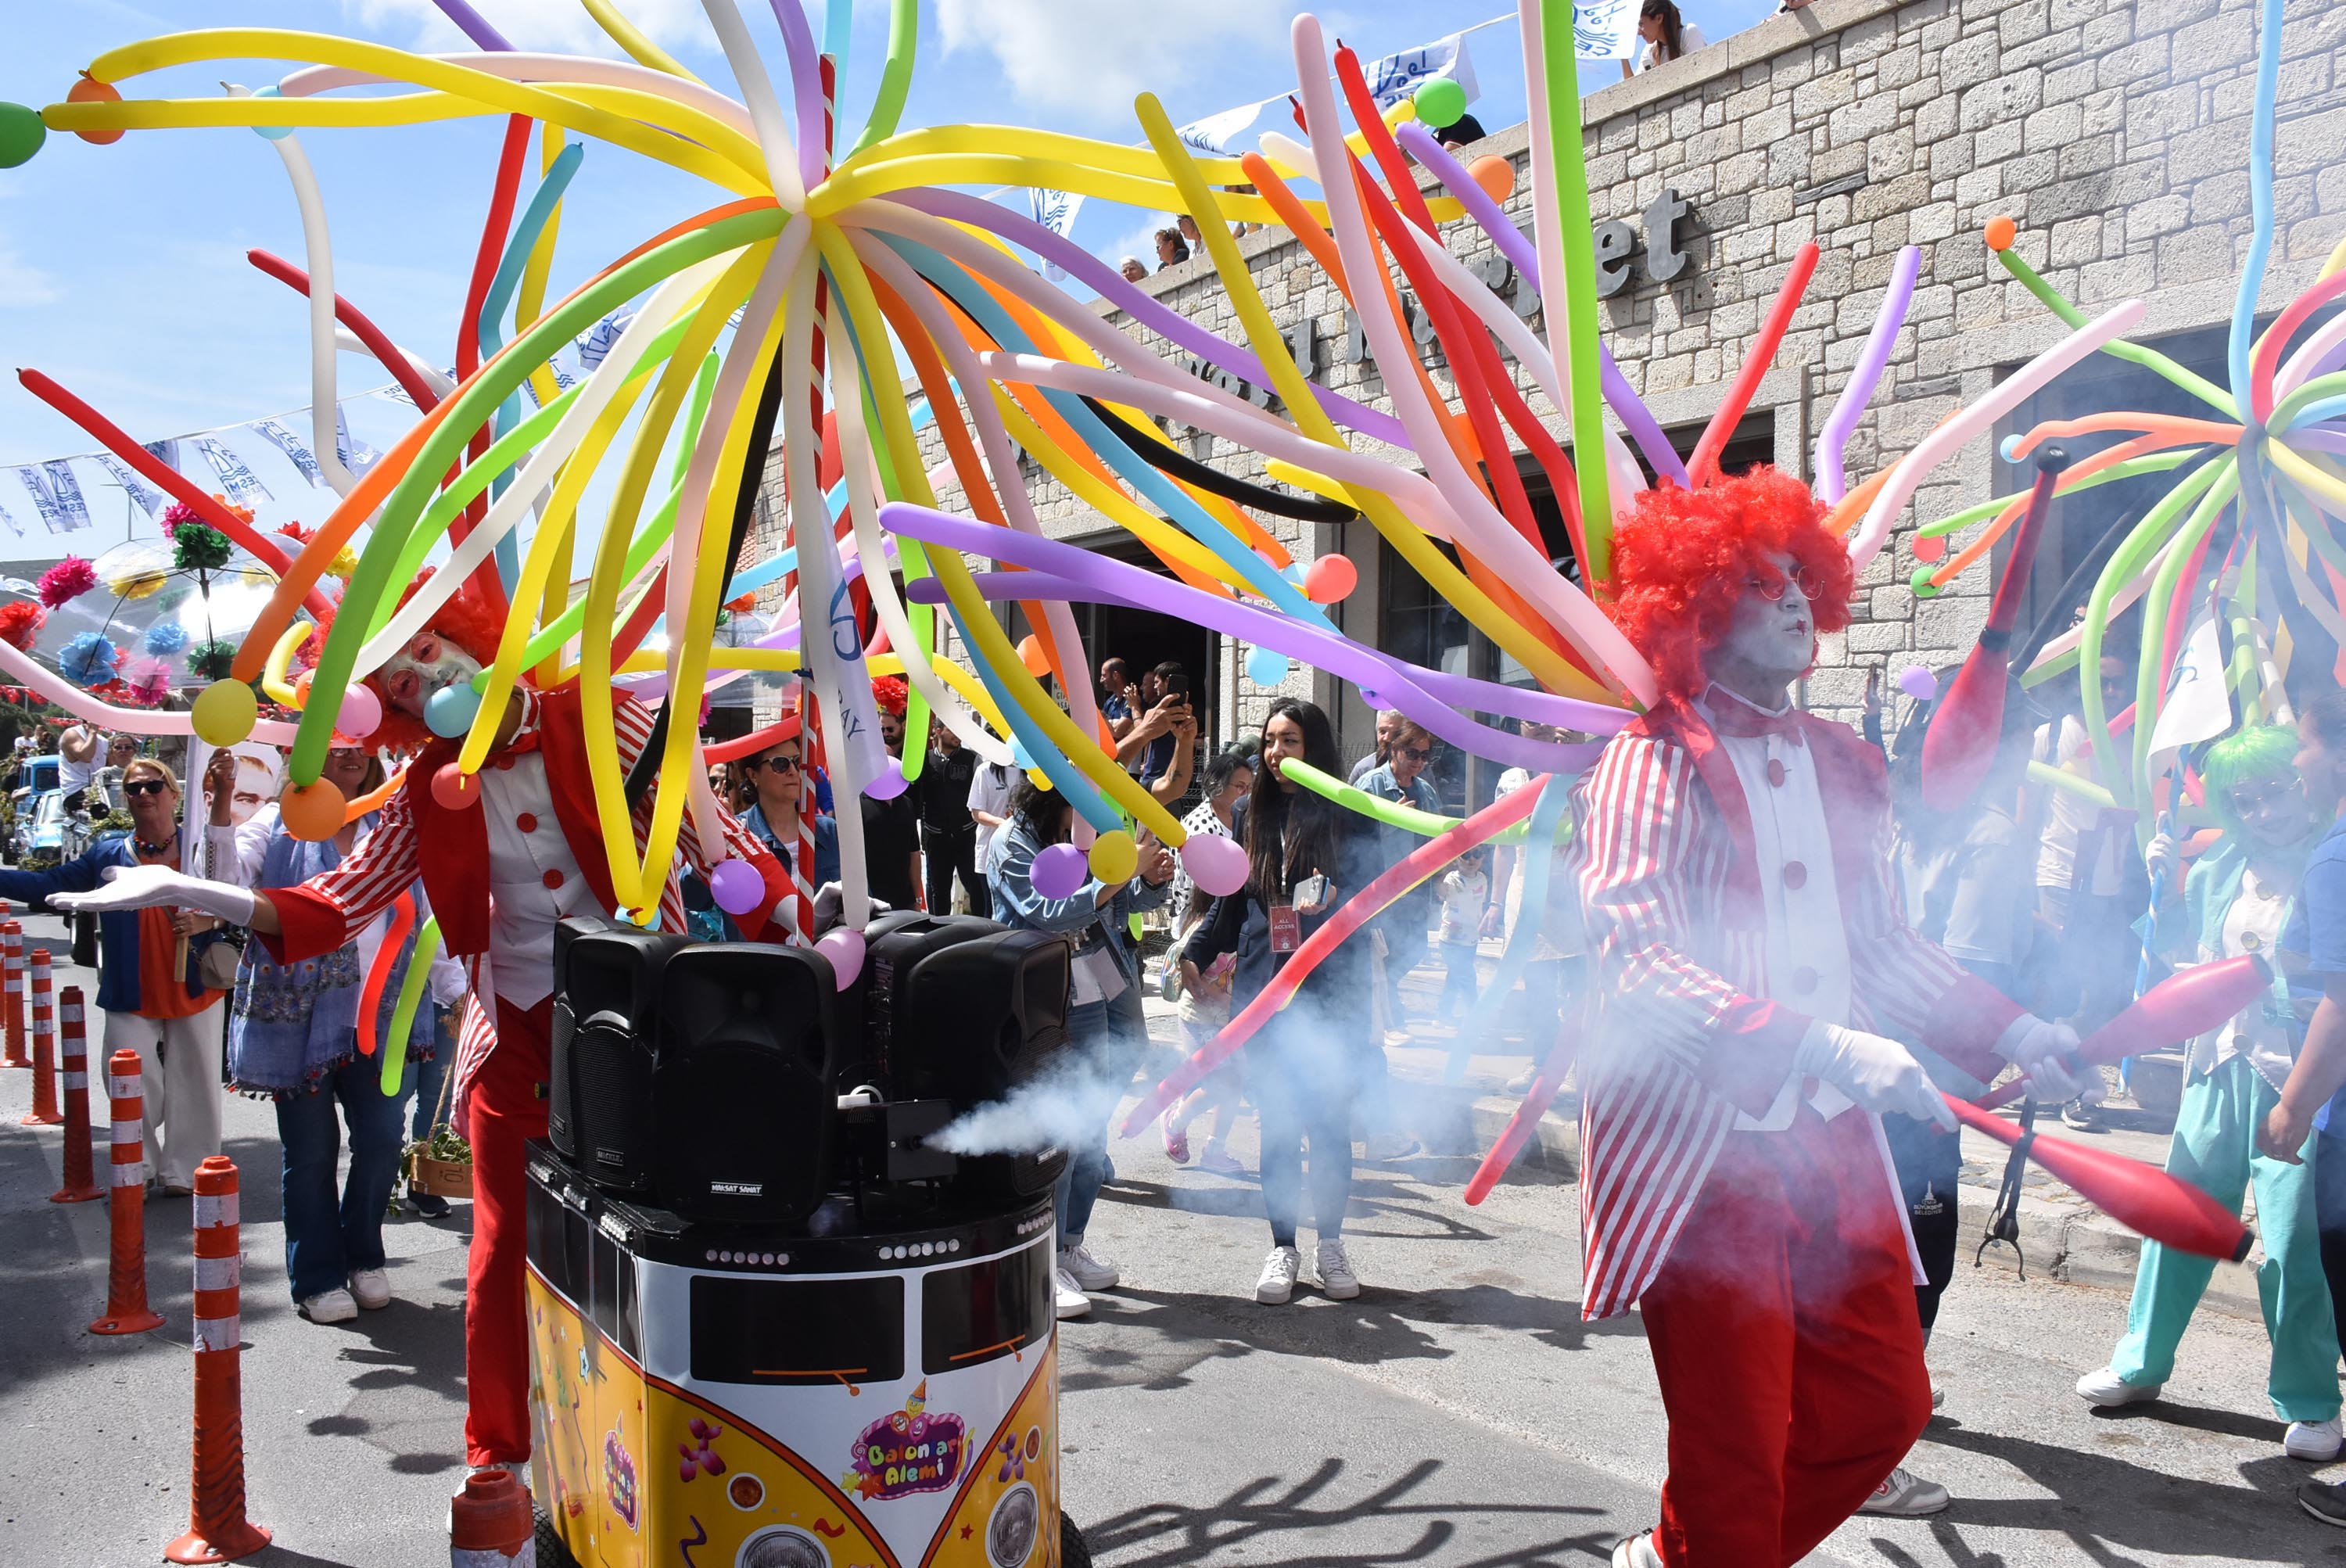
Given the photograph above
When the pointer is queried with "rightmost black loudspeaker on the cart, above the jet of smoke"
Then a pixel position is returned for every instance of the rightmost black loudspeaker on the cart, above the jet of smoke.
(975, 1022)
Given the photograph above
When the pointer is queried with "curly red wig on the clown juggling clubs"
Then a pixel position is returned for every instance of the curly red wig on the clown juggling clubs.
(1683, 560)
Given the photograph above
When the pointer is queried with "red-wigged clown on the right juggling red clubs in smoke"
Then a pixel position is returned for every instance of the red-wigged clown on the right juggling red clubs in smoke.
(1751, 968)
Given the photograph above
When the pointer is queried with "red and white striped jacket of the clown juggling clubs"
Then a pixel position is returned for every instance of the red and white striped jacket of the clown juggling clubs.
(1686, 1036)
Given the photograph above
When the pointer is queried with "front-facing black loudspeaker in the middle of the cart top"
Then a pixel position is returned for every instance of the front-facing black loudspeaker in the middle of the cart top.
(743, 1100)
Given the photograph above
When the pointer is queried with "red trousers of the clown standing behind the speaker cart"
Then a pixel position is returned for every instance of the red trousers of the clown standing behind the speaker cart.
(508, 1109)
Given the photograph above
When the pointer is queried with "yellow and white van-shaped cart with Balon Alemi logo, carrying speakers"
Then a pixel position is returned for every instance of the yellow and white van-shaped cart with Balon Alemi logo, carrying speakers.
(872, 1384)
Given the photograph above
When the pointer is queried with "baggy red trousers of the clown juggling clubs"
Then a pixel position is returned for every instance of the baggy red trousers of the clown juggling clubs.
(1789, 1349)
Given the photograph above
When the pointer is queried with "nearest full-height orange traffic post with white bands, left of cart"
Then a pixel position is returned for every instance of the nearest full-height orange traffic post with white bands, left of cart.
(217, 1525)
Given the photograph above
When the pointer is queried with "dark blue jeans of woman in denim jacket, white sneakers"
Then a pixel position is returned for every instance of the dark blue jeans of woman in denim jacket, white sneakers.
(332, 1238)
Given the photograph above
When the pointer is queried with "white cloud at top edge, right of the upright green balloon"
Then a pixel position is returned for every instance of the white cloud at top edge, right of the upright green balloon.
(1094, 60)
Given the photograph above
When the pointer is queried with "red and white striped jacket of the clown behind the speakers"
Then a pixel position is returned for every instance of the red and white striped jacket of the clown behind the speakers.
(449, 849)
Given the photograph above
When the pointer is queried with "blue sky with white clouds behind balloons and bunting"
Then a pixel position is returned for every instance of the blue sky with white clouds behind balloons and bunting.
(123, 269)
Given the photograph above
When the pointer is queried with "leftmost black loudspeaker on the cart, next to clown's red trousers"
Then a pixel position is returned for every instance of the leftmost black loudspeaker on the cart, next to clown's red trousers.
(606, 1003)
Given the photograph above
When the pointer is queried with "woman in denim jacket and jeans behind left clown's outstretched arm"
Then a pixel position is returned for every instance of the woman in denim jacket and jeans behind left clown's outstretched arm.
(294, 1041)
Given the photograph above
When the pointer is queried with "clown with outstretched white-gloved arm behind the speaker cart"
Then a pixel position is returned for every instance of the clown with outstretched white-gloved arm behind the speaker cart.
(503, 867)
